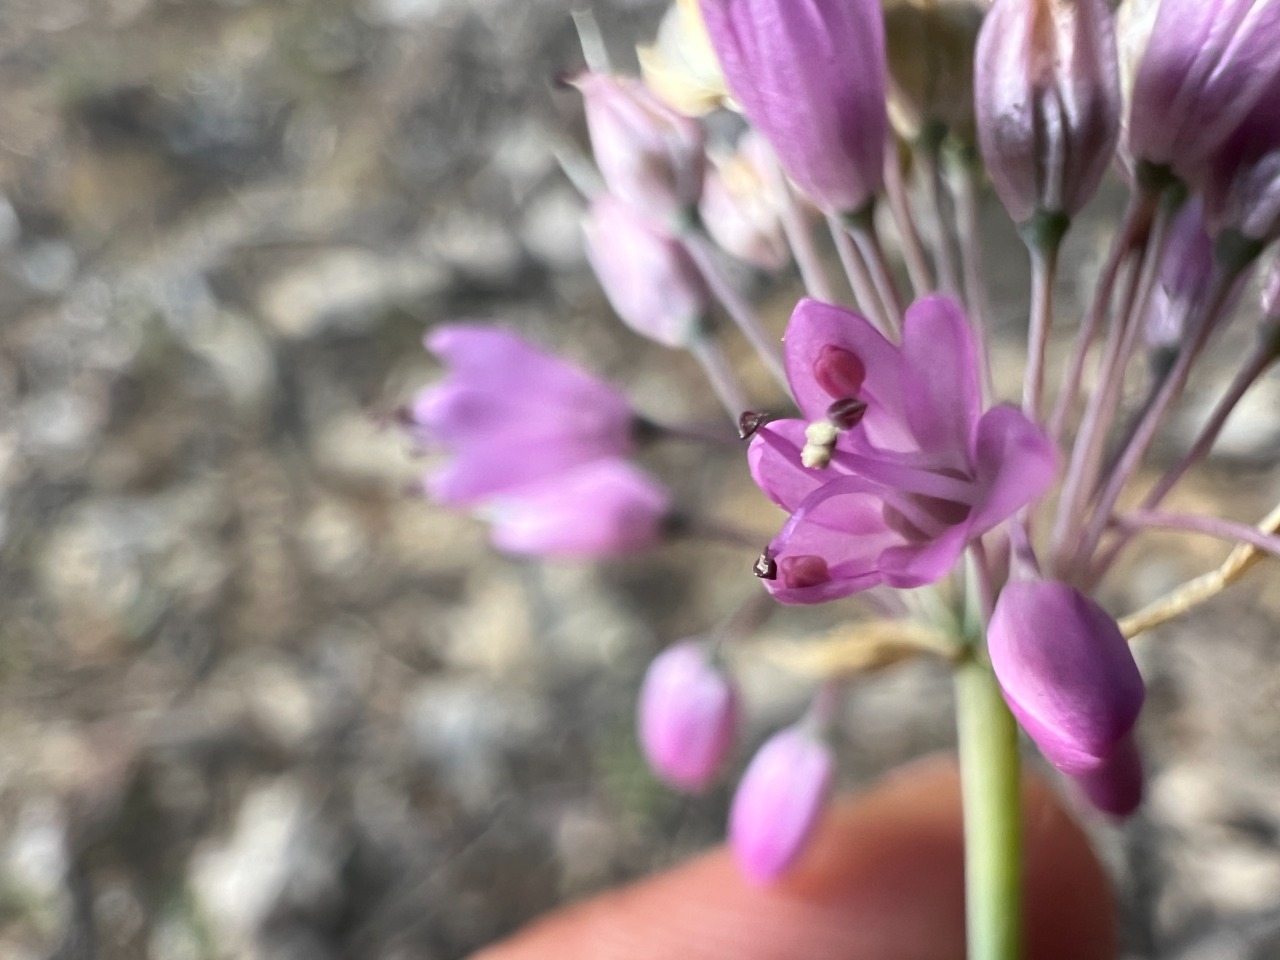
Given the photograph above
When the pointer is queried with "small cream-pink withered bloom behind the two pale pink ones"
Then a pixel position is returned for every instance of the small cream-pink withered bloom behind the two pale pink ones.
(739, 208)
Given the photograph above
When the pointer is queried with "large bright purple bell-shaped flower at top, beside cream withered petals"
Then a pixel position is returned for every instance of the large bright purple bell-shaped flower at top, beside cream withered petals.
(811, 77)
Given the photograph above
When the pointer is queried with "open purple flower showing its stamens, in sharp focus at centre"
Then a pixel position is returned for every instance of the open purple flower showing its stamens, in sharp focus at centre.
(915, 468)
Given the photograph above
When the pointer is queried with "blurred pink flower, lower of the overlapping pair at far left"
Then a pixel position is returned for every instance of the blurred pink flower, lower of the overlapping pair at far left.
(605, 509)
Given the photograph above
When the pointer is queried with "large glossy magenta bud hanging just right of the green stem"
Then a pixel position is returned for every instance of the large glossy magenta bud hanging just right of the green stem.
(1067, 673)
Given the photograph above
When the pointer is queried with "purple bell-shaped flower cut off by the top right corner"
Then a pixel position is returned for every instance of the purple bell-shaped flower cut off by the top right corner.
(1206, 66)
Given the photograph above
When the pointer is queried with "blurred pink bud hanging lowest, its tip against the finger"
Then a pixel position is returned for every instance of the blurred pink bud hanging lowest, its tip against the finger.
(780, 801)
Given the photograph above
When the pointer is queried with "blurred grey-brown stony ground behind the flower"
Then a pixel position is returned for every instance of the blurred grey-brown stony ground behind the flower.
(257, 701)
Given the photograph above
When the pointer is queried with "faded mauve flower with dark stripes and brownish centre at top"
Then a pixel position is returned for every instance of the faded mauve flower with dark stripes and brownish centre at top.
(1048, 98)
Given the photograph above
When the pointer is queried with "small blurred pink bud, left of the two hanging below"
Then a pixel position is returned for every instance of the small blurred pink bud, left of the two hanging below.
(689, 715)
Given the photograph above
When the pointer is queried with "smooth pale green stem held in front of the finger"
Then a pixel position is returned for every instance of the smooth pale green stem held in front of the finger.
(993, 815)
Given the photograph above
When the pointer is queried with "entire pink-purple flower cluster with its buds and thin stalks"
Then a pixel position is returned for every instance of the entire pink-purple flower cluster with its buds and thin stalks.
(897, 465)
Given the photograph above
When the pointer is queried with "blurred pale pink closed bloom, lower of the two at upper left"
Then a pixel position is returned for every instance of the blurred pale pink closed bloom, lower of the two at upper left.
(647, 275)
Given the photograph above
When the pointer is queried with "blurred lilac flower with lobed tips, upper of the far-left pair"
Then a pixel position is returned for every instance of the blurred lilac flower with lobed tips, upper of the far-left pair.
(511, 415)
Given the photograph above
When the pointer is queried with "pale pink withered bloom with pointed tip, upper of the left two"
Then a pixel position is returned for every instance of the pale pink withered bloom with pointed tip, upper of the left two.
(650, 156)
